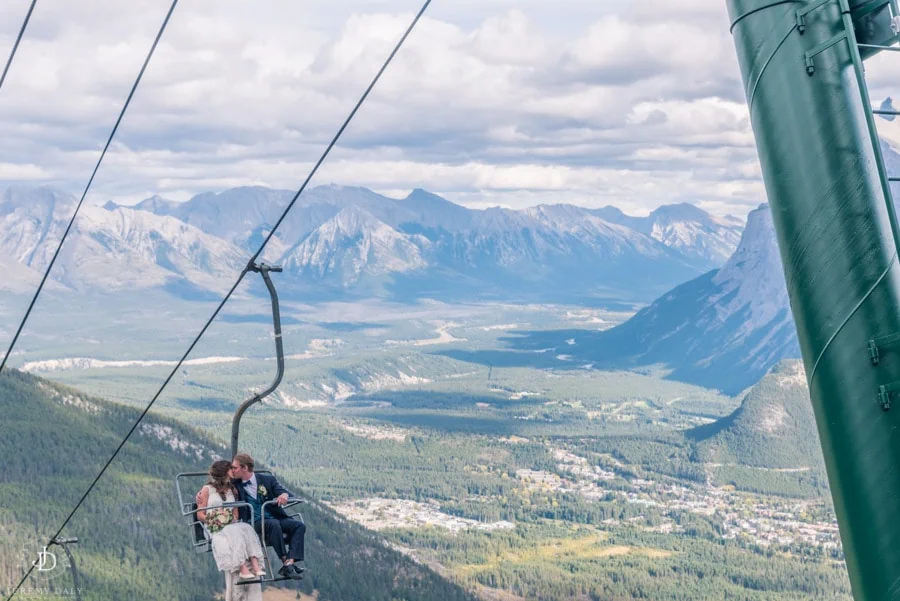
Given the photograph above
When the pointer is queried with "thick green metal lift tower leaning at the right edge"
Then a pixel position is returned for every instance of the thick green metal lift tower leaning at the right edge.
(802, 64)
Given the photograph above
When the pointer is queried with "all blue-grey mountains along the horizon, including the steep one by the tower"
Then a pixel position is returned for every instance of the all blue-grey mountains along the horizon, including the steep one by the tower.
(721, 326)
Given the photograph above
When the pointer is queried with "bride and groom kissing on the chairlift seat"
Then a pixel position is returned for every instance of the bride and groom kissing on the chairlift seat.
(234, 531)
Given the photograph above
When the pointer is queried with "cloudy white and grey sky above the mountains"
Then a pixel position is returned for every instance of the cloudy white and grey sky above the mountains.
(491, 102)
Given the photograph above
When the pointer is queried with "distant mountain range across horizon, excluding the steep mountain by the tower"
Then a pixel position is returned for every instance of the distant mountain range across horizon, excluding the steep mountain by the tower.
(346, 242)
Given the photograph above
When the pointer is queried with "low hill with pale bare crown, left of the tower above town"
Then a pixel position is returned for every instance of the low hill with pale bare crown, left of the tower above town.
(774, 428)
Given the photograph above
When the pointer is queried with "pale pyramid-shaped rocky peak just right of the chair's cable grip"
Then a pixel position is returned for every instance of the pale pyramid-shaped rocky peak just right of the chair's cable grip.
(354, 244)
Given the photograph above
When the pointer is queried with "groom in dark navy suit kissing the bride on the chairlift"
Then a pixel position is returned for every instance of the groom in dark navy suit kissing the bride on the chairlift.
(256, 489)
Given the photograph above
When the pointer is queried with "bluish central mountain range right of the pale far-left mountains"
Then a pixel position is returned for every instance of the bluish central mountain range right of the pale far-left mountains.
(436, 247)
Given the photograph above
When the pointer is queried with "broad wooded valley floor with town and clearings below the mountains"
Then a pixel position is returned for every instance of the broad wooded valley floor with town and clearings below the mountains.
(551, 481)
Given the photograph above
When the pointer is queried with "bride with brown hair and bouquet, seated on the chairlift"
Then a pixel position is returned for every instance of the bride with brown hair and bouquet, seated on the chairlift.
(235, 544)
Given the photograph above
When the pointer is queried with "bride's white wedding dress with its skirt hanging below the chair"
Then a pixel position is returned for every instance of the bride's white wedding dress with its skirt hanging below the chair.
(233, 545)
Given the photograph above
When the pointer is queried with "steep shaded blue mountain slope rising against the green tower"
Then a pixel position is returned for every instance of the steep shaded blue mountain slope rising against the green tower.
(725, 329)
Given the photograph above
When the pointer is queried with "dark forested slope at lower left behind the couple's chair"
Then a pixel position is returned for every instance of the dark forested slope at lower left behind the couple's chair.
(134, 544)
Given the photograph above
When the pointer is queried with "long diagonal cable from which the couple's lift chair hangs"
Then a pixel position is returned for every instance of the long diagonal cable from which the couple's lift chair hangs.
(240, 278)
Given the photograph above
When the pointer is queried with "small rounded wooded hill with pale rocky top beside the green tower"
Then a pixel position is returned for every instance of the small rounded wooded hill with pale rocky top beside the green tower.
(770, 443)
